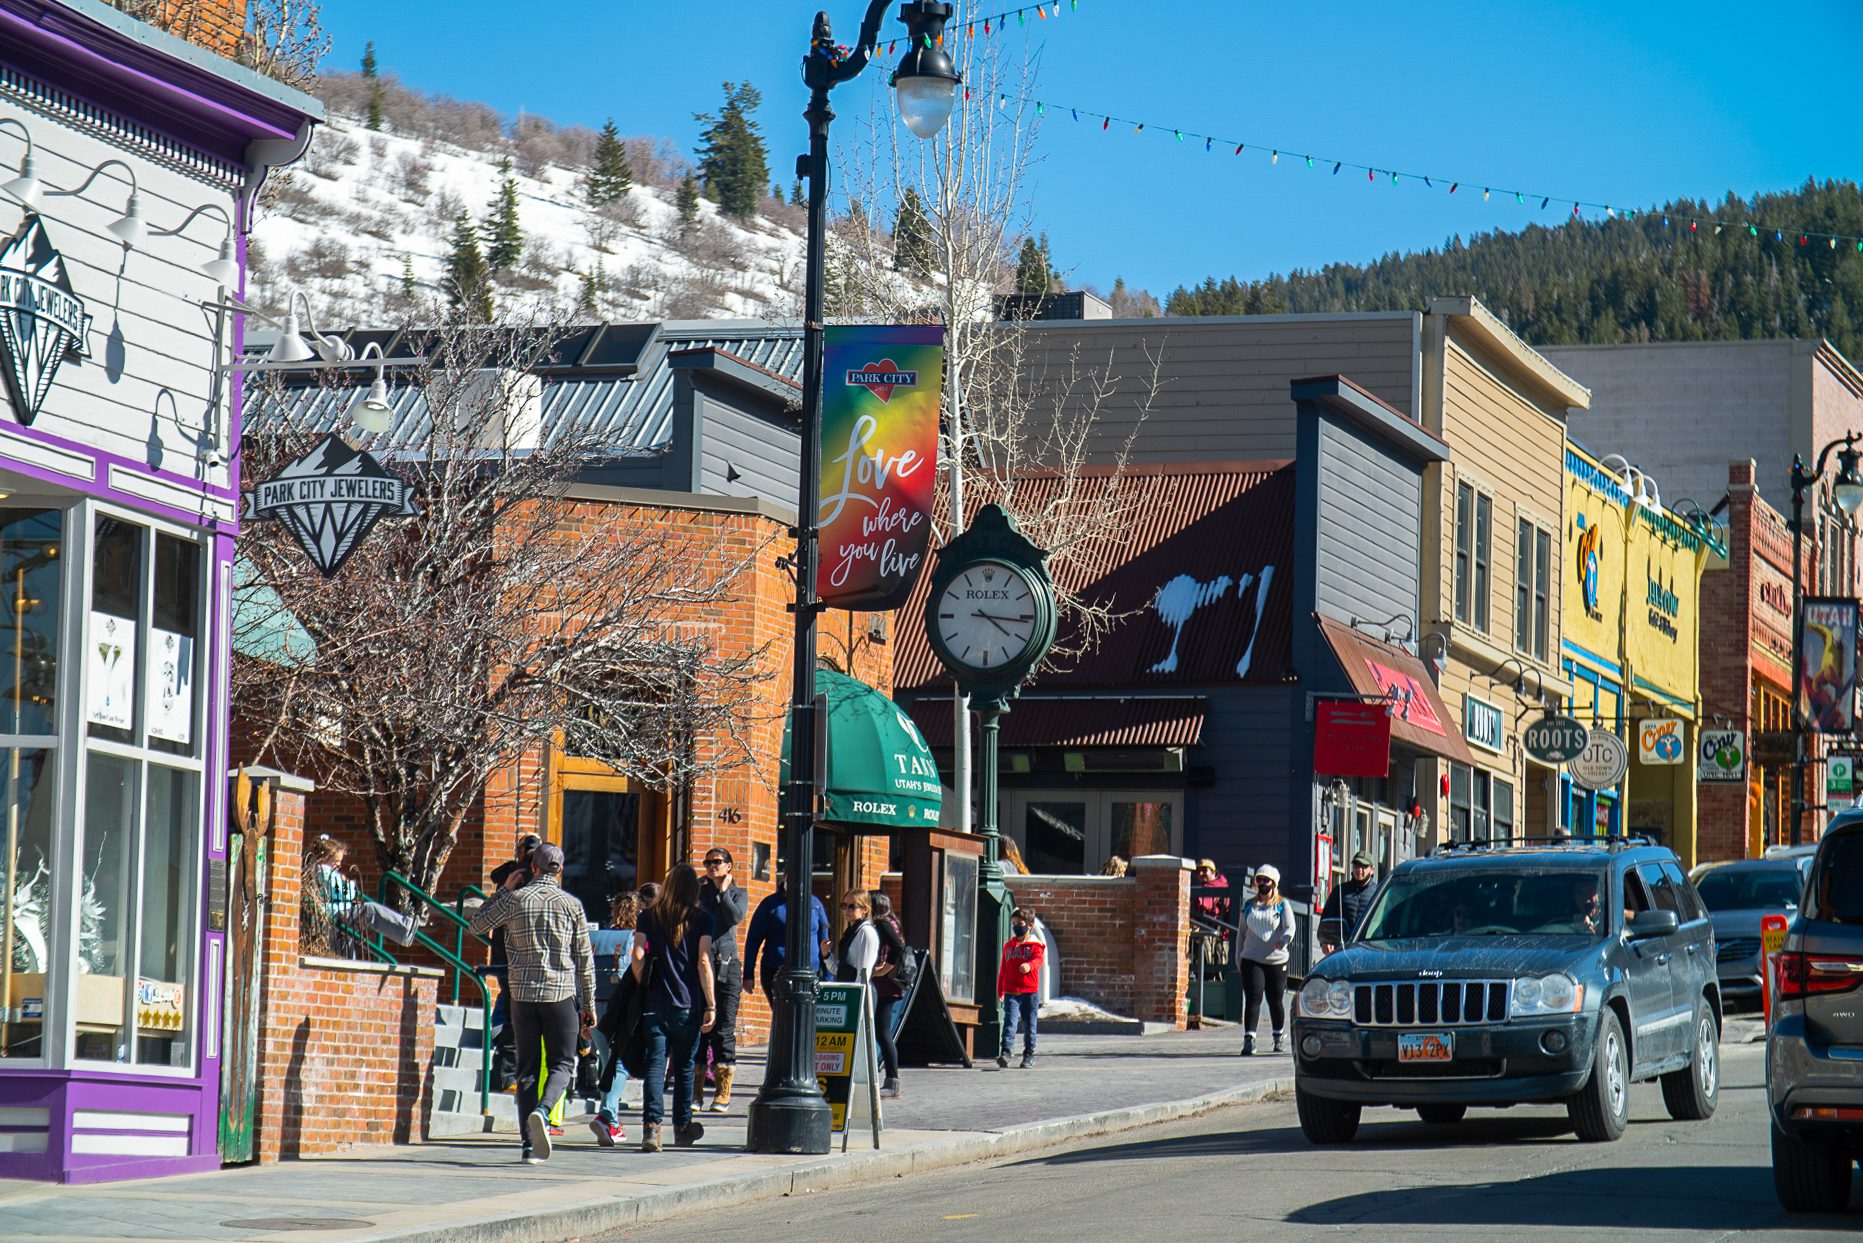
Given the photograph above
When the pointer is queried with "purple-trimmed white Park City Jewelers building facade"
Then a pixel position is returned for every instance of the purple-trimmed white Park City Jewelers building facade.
(129, 163)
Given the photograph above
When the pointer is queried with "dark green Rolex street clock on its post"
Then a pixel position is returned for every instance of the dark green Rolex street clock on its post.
(990, 618)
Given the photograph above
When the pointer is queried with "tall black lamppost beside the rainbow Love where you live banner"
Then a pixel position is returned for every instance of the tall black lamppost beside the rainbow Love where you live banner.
(789, 1113)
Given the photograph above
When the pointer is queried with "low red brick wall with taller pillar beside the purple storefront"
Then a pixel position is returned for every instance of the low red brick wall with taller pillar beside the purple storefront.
(346, 1056)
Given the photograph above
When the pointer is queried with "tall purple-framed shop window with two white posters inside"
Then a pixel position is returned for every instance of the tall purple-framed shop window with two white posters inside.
(133, 998)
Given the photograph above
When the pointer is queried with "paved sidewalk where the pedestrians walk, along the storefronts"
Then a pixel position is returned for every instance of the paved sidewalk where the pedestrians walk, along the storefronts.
(472, 1190)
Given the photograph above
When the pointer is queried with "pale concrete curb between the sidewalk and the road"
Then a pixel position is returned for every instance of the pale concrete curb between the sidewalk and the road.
(606, 1214)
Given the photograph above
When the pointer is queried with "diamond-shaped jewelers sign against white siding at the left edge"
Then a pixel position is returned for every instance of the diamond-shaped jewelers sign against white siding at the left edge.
(42, 320)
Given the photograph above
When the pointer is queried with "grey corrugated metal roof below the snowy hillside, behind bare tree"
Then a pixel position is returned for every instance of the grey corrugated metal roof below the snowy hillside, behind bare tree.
(629, 411)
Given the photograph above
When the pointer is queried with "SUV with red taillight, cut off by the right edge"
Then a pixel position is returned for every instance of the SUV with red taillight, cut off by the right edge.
(1815, 1045)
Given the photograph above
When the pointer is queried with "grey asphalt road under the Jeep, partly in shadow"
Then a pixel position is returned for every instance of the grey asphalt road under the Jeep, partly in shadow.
(1249, 1173)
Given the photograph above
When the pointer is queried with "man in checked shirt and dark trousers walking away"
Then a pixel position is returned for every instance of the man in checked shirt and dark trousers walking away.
(552, 985)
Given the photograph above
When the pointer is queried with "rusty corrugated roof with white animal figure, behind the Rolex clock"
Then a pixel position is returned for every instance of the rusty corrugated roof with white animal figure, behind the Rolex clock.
(1204, 573)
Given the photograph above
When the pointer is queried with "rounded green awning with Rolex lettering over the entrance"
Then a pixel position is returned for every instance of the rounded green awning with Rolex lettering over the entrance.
(880, 771)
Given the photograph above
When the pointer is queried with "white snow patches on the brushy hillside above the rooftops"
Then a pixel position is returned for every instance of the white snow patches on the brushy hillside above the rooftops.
(364, 210)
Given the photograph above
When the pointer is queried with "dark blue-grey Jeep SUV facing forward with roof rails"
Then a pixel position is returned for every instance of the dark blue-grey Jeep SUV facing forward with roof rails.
(1516, 974)
